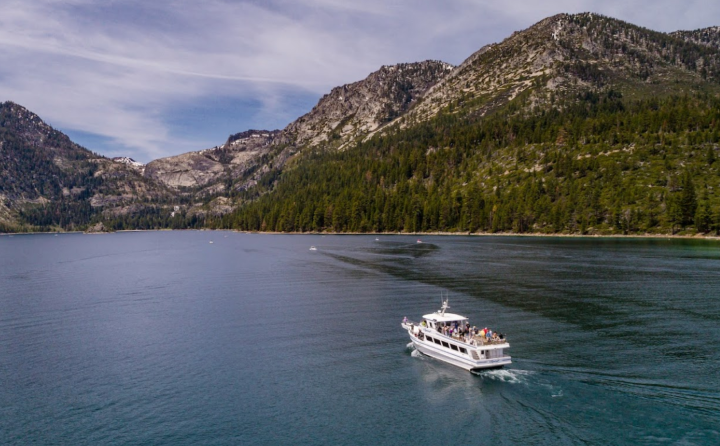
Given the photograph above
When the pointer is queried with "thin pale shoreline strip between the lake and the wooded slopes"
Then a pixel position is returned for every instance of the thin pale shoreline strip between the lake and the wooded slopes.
(414, 234)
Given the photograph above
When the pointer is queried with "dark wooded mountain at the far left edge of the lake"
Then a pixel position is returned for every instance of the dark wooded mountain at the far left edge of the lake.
(47, 181)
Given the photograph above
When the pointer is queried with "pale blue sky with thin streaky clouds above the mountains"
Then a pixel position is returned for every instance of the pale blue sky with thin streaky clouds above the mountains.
(156, 78)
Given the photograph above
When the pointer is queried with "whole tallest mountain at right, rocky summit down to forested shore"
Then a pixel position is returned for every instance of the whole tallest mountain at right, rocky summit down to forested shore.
(580, 124)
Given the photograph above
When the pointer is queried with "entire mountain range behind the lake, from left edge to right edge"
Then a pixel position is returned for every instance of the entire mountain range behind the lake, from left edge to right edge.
(580, 124)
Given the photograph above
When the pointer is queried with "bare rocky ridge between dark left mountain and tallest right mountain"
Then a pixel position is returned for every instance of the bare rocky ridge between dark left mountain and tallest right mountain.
(345, 114)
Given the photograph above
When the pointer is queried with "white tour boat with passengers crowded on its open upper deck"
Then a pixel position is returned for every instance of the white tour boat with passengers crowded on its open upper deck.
(450, 338)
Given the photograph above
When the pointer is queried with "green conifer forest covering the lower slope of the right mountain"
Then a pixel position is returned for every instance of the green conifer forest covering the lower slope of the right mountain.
(593, 164)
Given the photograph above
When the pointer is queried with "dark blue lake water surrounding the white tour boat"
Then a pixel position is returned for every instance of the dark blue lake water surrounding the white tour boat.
(165, 338)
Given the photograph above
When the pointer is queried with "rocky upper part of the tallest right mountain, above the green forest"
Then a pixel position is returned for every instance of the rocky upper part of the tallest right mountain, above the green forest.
(563, 54)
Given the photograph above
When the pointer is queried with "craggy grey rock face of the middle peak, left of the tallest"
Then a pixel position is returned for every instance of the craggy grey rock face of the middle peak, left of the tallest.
(356, 109)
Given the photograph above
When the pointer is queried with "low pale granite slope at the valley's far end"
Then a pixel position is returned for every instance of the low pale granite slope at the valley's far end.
(240, 153)
